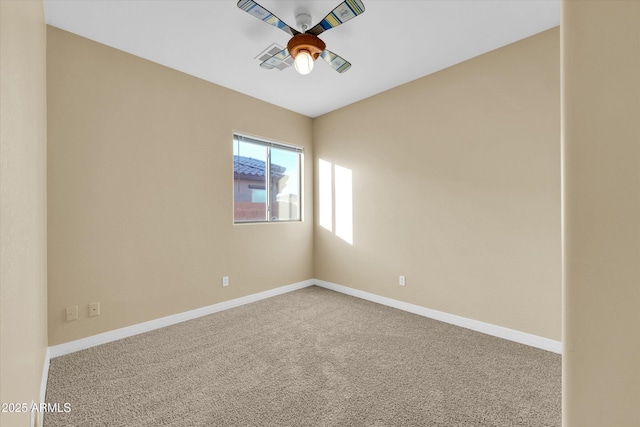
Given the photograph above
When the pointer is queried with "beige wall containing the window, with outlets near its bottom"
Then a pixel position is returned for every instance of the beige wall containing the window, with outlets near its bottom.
(140, 191)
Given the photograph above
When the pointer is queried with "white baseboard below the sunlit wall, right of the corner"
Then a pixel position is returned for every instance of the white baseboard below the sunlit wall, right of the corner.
(475, 325)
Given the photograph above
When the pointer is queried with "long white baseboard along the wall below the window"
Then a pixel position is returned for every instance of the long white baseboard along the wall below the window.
(84, 343)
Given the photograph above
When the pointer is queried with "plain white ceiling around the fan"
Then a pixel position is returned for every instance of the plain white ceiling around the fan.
(391, 43)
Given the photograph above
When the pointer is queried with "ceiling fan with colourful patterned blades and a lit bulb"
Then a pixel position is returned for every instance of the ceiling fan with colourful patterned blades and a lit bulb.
(305, 47)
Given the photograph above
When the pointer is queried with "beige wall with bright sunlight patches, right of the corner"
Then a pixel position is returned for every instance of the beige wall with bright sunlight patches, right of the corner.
(456, 184)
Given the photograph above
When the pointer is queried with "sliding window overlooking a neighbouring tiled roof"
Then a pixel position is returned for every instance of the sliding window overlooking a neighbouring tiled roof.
(256, 198)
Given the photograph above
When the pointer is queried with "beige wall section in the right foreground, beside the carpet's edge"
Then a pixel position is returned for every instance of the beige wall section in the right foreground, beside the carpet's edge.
(601, 140)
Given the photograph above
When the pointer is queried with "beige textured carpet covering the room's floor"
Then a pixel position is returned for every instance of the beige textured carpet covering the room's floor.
(312, 357)
